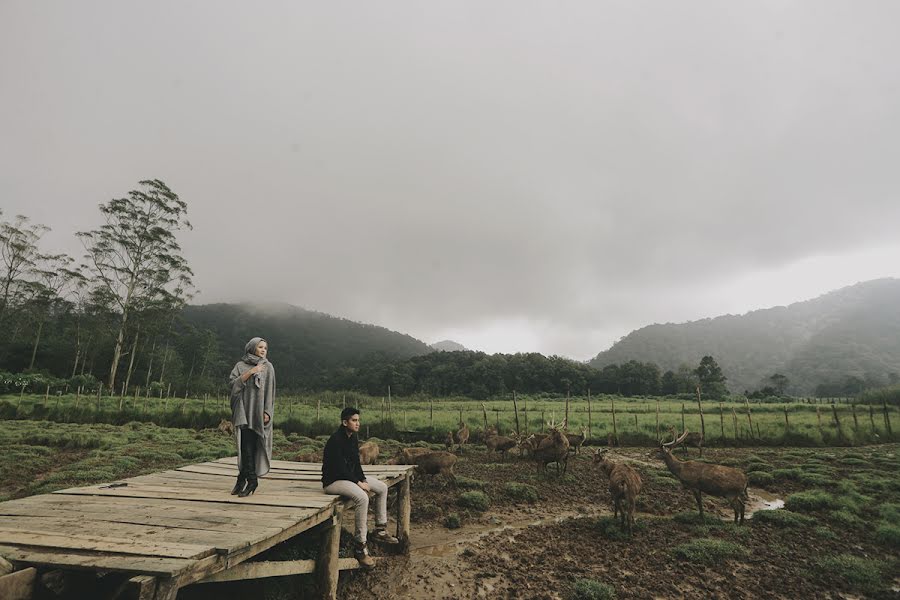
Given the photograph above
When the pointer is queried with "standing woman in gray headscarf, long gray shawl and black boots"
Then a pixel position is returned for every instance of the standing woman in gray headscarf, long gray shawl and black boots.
(252, 409)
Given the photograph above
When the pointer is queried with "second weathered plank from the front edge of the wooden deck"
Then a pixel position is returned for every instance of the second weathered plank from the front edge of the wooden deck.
(98, 543)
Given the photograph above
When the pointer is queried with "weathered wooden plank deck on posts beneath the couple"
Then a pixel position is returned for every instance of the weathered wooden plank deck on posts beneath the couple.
(166, 530)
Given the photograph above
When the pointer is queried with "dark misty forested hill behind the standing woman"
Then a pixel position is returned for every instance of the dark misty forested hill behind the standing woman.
(309, 349)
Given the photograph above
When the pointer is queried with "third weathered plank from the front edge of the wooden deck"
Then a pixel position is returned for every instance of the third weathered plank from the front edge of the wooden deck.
(223, 542)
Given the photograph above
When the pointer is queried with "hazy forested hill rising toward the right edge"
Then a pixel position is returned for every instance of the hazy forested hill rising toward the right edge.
(848, 334)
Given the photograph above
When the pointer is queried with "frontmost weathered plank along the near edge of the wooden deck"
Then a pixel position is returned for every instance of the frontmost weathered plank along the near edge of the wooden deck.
(75, 559)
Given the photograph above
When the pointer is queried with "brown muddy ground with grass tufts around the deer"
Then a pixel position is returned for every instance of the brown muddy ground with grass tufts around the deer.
(541, 549)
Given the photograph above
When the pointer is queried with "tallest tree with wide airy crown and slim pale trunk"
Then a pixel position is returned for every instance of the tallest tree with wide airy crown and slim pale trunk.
(135, 257)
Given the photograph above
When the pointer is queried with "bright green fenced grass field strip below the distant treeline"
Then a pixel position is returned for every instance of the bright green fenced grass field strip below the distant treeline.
(634, 421)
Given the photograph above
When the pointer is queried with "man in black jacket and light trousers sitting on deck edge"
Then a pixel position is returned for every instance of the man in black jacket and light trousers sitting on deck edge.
(342, 475)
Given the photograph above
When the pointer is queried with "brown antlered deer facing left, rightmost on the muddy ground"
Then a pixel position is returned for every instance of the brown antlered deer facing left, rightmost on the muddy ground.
(716, 480)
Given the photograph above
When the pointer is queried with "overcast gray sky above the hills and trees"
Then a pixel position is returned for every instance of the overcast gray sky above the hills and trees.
(515, 176)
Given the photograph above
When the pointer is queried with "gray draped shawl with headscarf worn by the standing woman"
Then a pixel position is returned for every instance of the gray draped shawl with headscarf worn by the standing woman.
(250, 399)
